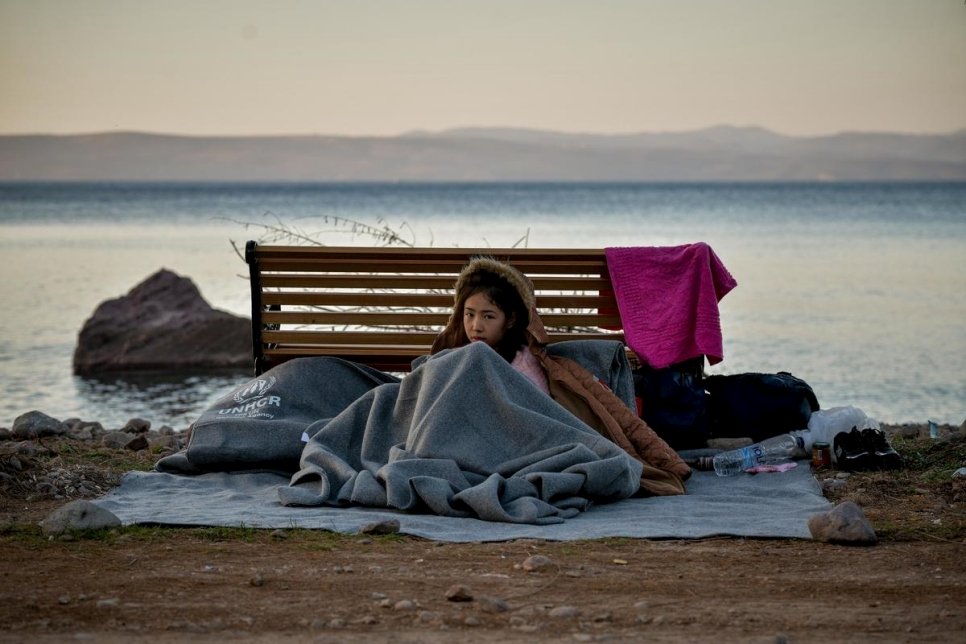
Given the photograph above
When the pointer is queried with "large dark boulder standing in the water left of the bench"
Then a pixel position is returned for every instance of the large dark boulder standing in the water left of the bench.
(162, 324)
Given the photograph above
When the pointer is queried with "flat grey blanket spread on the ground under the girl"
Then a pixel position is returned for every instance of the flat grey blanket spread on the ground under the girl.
(762, 506)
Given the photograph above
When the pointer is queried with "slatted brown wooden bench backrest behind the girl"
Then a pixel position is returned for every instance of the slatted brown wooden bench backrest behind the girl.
(384, 306)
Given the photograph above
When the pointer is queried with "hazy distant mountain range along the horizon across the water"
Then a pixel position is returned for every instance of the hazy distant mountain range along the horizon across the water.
(721, 153)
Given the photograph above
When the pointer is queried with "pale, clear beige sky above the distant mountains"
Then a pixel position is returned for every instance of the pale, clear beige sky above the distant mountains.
(381, 67)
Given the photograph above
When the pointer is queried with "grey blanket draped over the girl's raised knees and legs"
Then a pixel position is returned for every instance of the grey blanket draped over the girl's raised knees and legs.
(463, 435)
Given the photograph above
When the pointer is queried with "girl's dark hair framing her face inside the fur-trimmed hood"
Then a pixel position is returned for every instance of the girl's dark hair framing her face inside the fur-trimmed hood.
(502, 293)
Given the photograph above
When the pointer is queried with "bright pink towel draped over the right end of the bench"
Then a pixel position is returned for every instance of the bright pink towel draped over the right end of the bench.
(668, 301)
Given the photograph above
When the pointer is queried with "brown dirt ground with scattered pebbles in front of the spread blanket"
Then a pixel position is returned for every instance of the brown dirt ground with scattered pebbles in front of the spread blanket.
(213, 584)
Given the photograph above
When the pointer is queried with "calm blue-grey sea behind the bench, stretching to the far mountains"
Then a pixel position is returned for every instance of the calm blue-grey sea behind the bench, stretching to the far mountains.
(857, 288)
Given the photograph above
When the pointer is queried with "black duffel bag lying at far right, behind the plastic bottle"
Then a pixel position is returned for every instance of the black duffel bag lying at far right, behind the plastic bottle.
(758, 405)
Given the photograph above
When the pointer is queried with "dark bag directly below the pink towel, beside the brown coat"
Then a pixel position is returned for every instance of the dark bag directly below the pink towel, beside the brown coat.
(674, 403)
